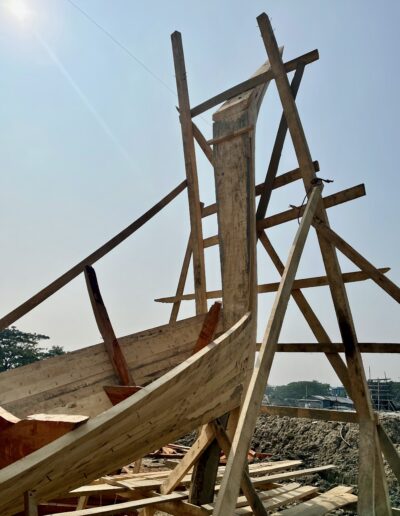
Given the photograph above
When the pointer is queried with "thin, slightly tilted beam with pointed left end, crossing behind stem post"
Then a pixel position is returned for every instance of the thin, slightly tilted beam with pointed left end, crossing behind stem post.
(317, 281)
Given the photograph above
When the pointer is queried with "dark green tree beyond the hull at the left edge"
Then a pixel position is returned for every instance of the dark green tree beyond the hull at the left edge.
(18, 348)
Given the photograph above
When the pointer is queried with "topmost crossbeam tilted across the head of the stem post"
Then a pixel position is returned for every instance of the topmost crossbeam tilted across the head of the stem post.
(251, 83)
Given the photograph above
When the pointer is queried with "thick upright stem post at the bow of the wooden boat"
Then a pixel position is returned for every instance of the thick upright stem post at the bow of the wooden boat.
(233, 158)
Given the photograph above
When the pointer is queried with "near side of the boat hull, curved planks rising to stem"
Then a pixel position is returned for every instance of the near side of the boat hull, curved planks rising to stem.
(203, 387)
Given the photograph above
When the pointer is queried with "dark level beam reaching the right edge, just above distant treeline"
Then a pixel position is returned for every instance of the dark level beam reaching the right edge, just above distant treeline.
(338, 347)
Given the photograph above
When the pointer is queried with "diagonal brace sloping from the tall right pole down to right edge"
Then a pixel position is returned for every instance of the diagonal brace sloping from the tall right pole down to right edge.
(374, 273)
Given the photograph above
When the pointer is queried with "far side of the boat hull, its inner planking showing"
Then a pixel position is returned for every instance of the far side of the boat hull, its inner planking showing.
(73, 383)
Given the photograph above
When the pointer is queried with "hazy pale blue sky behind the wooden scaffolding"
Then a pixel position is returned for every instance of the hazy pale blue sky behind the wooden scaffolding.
(89, 140)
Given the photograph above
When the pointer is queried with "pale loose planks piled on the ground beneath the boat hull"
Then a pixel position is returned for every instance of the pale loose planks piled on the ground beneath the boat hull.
(127, 493)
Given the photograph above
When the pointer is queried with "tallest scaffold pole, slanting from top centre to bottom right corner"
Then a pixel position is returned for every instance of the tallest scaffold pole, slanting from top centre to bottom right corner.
(359, 389)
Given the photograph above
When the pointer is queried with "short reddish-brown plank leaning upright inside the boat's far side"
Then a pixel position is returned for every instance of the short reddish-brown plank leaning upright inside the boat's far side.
(106, 330)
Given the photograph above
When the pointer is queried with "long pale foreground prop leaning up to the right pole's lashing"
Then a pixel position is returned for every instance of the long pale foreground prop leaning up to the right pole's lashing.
(230, 484)
